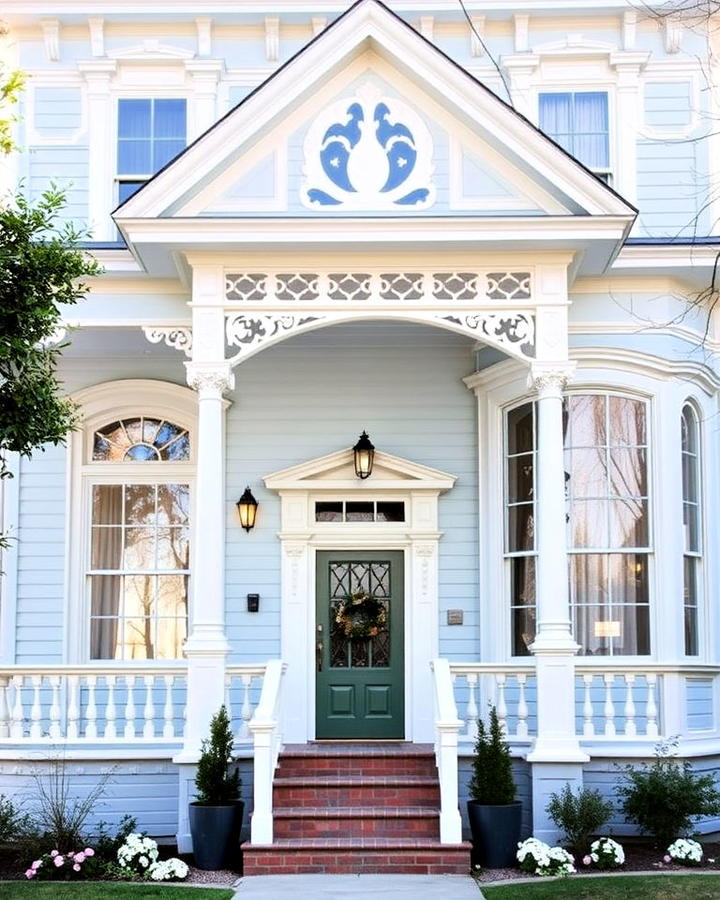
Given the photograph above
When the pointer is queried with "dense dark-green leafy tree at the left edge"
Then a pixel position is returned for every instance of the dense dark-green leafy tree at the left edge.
(41, 270)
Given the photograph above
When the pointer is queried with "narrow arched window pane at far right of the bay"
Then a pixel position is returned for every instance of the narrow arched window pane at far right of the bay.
(690, 433)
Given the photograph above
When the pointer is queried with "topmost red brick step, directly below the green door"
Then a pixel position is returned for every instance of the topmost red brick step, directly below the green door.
(356, 759)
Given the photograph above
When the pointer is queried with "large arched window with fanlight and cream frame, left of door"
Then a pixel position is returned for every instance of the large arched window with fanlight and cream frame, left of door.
(136, 475)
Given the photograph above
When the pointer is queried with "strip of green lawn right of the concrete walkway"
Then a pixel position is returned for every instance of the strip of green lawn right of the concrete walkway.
(641, 887)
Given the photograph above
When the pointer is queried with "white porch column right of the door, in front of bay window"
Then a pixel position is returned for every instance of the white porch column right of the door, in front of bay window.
(554, 647)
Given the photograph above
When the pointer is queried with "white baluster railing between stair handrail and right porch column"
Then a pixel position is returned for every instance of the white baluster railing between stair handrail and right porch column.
(511, 689)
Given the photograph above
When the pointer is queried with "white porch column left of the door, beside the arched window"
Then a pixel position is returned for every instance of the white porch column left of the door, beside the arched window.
(207, 647)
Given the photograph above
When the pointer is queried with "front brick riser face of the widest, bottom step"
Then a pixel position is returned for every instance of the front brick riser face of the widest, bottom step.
(330, 861)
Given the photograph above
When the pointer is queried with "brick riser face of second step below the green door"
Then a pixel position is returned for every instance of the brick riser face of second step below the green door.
(342, 795)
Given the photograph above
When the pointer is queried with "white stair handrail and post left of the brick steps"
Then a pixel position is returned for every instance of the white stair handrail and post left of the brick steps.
(264, 727)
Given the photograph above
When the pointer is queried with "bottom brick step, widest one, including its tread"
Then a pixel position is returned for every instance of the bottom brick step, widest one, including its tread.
(355, 856)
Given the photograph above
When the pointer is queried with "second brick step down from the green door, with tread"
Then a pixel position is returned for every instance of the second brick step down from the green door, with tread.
(356, 790)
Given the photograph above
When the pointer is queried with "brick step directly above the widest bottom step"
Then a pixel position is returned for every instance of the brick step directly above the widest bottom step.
(357, 821)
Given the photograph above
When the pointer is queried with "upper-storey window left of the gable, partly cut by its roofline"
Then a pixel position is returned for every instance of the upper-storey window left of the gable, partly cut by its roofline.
(150, 133)
